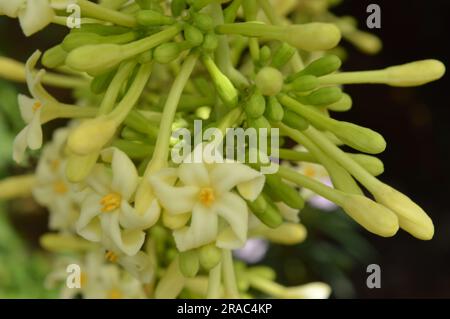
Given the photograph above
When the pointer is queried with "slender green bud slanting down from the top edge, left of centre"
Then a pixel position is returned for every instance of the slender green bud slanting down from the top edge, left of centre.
(94, 10)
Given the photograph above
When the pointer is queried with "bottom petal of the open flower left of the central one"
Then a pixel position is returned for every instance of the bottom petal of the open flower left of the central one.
(128, 241)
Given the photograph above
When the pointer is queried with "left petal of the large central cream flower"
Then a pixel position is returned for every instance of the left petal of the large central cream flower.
(176, 200)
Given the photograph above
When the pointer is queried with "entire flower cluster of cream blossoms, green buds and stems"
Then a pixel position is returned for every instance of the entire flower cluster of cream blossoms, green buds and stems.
(140, 225)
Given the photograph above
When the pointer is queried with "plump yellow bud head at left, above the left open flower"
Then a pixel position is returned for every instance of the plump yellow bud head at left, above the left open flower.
(91, 135)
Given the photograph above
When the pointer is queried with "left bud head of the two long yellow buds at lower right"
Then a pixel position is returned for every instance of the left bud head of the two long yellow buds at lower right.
(374, 217)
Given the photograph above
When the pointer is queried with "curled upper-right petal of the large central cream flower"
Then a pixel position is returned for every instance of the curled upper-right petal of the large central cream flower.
(225, 176)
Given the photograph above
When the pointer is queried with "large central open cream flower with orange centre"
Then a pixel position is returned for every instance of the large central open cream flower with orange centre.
(206, 193)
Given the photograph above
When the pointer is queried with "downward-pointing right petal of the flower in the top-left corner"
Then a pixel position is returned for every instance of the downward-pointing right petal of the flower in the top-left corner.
(36, 16)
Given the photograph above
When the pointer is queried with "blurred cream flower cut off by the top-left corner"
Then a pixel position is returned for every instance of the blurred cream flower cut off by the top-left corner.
(34, 15)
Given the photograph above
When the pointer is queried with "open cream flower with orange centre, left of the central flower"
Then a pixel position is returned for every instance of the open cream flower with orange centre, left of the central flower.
(106, 211)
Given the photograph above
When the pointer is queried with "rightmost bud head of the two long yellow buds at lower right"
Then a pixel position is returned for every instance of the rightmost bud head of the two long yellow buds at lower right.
(411, 217)
